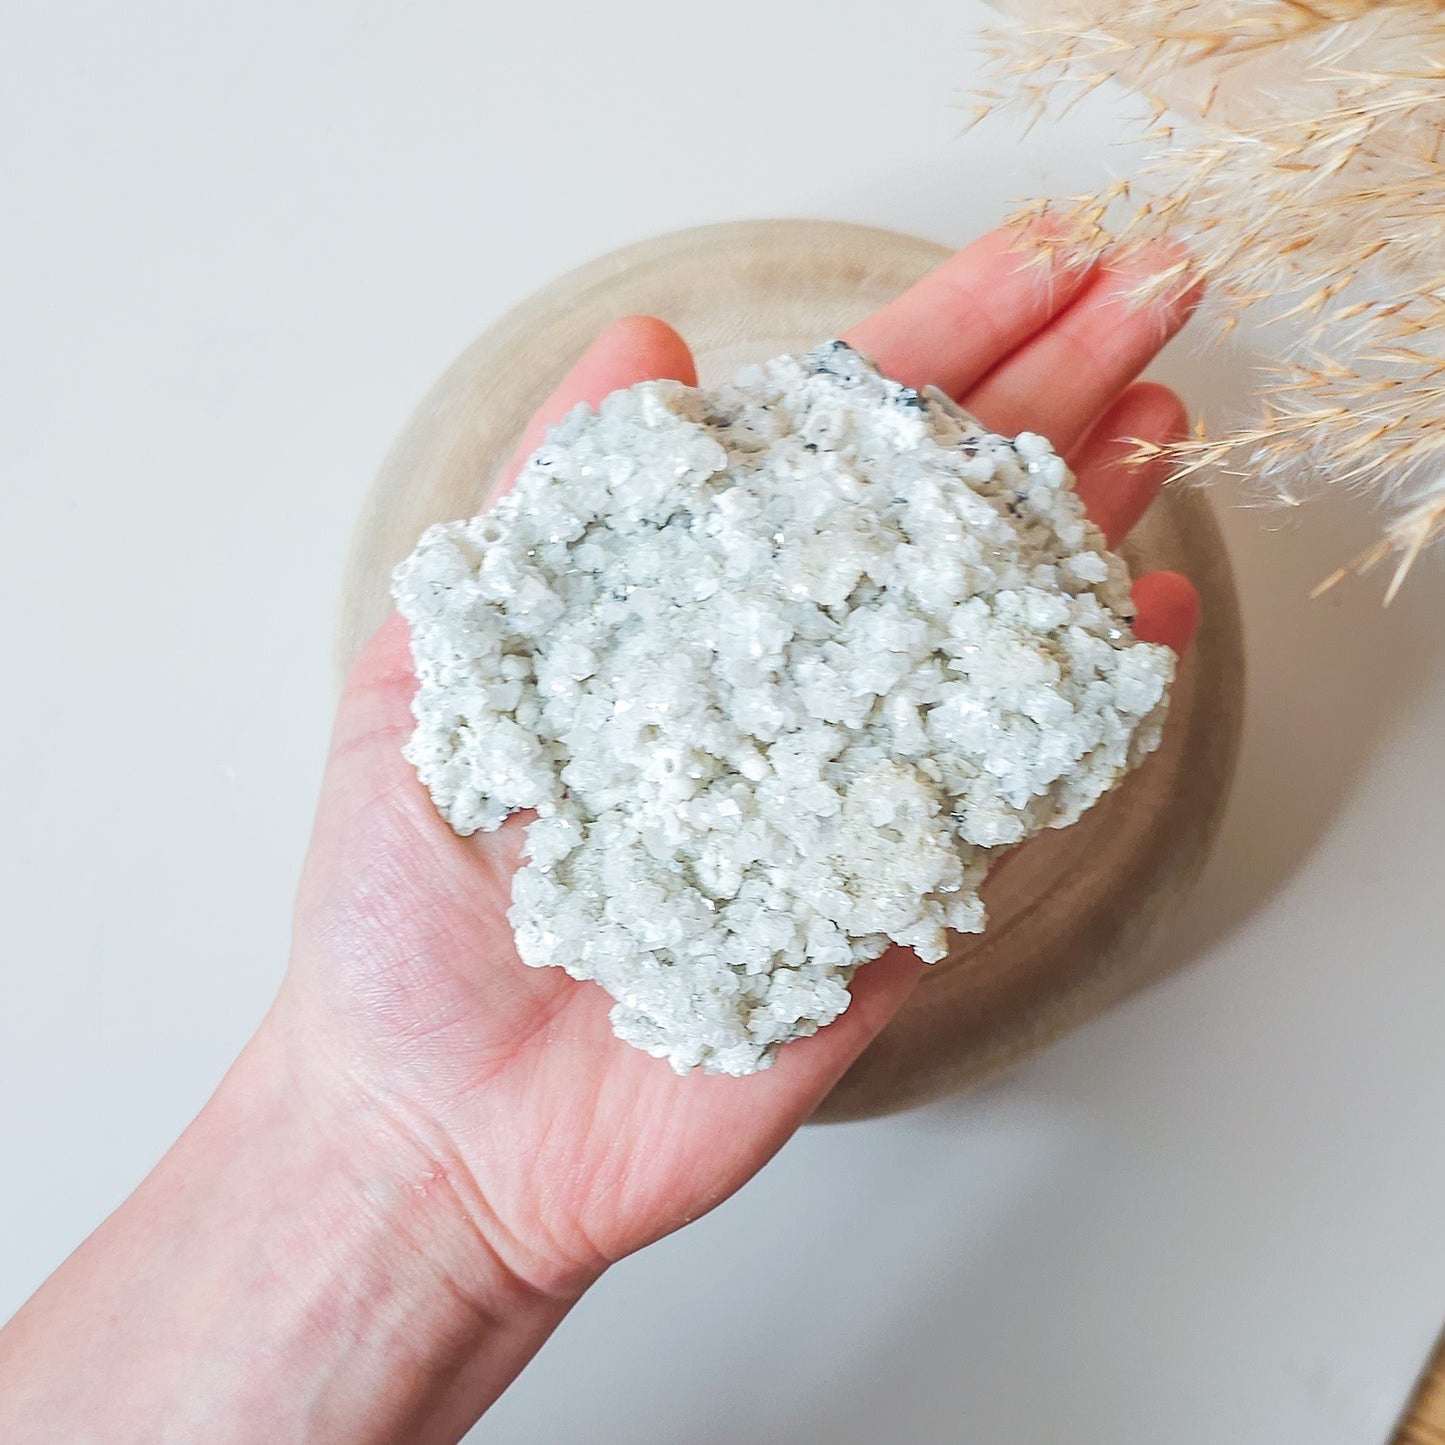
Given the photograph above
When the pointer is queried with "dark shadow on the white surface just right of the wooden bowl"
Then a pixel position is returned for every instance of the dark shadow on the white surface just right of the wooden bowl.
(1326, 677)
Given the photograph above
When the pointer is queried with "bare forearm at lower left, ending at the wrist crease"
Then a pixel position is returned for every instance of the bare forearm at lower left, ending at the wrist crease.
(291, 1271)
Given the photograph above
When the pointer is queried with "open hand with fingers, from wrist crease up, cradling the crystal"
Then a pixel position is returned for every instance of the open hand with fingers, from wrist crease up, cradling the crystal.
(570, 1148)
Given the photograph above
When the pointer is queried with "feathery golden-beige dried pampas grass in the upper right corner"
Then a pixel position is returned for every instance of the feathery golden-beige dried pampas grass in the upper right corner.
(1300, 150)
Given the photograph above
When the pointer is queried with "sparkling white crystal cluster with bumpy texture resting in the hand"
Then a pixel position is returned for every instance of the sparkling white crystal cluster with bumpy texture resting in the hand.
(781, 668)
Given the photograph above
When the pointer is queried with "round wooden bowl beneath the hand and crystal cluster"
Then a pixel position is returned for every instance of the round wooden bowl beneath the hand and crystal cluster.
(1074, 915)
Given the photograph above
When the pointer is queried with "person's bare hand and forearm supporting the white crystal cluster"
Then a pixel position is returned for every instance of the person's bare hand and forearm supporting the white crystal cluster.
(428, 1151)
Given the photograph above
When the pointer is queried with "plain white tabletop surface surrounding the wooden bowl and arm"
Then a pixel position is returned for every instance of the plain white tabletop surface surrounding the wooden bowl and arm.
(239, 245)
